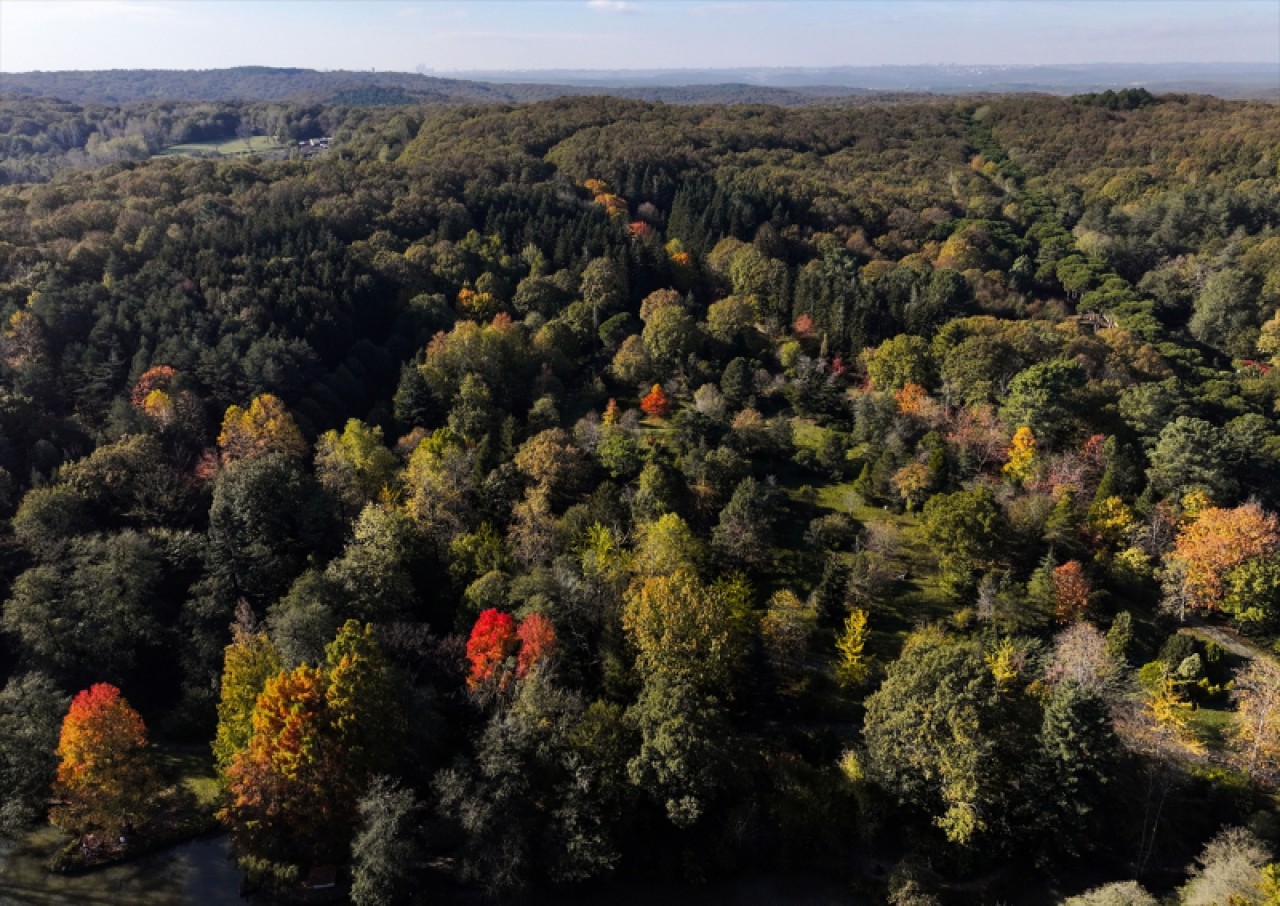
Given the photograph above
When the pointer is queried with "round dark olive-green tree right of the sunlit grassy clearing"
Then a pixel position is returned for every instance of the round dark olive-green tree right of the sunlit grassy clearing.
(964, 530)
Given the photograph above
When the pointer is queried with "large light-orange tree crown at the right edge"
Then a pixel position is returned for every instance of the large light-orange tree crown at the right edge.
(1218, 542)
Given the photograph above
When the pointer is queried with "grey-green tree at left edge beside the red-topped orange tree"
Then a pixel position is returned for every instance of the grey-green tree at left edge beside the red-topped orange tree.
(31, 711)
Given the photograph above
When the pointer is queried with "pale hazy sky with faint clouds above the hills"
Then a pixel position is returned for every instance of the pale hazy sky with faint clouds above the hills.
(449, 35)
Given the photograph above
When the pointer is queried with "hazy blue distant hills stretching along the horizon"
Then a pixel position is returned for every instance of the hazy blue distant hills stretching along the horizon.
(785, 86)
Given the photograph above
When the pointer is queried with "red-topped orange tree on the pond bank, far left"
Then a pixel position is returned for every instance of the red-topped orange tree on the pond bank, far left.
(104, 777)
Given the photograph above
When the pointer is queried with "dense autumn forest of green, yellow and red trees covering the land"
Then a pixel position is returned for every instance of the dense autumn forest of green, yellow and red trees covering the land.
(527, 498)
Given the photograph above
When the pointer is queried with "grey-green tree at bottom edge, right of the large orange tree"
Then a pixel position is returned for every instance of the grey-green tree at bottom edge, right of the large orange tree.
(386, 852)
